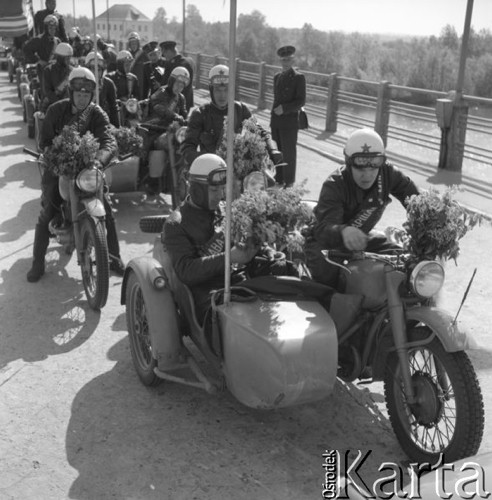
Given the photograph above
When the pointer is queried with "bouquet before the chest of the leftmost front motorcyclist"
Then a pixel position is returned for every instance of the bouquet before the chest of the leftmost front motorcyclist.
(70, 153)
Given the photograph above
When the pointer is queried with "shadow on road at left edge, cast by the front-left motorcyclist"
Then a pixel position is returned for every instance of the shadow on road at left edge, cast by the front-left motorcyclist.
(42, 319)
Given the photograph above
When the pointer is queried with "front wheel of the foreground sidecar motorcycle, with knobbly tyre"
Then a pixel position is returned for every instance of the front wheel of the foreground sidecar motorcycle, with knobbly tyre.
(448, 416)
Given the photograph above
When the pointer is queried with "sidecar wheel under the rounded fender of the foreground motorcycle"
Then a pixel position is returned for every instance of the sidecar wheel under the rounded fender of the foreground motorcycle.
(139, 334)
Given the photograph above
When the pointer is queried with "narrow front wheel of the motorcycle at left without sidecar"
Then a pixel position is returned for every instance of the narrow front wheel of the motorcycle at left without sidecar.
(94, 262)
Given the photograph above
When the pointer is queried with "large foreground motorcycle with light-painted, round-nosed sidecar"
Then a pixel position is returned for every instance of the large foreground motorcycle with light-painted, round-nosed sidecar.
(274, 344)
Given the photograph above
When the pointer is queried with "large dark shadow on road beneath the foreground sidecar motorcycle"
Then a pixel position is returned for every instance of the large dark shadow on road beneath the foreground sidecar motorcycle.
(174, 441)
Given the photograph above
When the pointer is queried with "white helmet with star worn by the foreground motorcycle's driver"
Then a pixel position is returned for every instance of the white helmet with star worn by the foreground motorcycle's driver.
(365, 147)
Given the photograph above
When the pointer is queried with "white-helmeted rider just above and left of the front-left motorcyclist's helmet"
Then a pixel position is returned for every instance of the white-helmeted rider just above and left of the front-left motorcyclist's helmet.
(55, 76)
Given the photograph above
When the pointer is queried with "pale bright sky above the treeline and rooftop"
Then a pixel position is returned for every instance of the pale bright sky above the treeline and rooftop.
(405, 17)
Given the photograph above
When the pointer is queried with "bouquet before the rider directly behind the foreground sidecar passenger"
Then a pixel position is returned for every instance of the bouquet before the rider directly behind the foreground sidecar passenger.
(249, 149)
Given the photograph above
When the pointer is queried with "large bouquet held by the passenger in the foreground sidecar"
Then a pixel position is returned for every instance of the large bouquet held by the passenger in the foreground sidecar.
(274, 217)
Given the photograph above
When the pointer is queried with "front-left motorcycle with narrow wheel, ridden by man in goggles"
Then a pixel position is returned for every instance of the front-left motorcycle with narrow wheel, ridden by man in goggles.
(80, 225)
